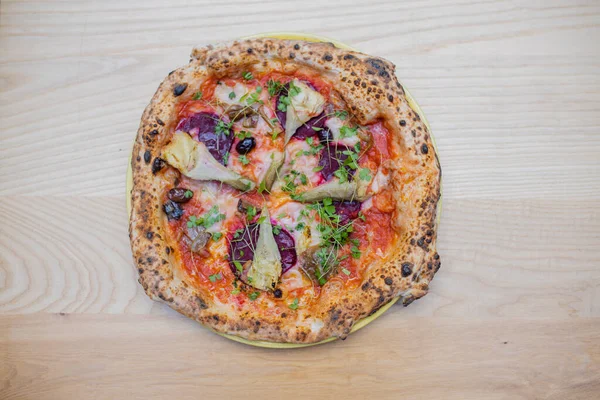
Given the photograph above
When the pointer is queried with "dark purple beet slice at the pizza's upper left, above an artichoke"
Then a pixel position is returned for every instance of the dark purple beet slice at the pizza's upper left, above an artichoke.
(210, 130)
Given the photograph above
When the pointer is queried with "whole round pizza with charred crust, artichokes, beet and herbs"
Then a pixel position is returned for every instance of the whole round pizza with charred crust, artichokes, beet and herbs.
(283, 190)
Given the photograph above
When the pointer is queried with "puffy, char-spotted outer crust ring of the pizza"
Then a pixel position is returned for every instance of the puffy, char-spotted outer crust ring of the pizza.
(370, 89)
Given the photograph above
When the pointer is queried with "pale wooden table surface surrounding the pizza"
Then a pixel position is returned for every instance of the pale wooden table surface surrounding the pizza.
(512, 91)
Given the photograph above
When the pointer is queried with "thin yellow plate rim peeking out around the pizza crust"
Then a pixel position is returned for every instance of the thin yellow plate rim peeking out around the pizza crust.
(365, 321)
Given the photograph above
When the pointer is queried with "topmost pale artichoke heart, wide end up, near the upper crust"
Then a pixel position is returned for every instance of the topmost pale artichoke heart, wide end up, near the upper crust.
(304, 105)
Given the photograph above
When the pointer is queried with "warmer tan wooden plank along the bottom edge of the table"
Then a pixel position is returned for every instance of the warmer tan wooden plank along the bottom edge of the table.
(75, 356)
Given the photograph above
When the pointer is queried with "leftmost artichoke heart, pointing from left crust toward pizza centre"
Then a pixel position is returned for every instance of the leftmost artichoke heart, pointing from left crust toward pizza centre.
(194, 160)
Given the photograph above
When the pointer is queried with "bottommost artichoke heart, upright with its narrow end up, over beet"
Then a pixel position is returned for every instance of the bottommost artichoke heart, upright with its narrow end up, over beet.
(266, 265)
